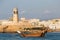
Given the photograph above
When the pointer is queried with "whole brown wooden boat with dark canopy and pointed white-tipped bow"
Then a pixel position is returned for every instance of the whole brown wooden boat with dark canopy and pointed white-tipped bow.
(33, 32)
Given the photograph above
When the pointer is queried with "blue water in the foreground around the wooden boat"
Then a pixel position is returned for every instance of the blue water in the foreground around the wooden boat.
(14, 36)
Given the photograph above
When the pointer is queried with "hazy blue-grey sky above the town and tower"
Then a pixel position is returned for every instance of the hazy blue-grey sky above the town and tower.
(40, 9)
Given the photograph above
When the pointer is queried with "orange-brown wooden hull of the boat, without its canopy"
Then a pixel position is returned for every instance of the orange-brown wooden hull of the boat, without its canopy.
(32, 34)
